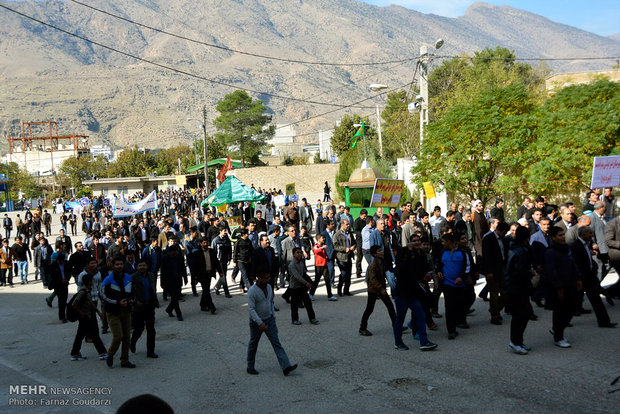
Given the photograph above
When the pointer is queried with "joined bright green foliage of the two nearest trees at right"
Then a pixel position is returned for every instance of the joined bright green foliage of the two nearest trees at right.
(507, 140)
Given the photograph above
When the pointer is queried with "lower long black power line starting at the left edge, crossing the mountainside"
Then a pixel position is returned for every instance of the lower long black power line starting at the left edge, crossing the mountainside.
(180, 71)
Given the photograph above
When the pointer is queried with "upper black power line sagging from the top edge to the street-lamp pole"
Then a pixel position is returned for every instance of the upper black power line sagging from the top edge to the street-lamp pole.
(228, 49)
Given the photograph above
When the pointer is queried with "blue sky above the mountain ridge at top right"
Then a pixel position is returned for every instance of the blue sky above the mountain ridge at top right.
(597, 16)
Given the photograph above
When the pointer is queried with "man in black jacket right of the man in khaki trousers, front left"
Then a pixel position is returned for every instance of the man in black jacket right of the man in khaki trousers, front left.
(144, 287)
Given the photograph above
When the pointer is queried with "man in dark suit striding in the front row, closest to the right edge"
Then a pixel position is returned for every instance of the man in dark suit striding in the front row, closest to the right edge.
(582, 255)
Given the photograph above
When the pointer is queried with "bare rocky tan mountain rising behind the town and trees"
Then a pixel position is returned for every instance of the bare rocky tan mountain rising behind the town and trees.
(48, 75)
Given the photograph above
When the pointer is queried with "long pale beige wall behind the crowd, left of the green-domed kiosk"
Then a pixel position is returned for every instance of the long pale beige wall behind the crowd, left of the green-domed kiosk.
(309, 179)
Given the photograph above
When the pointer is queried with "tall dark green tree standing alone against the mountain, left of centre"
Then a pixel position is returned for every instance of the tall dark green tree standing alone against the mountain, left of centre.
(243, 125)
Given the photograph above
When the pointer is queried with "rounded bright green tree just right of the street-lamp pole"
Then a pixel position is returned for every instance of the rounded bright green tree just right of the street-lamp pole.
(480, 145)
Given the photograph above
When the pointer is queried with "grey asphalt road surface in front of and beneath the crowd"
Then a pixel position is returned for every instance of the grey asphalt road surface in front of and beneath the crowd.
(202, 363)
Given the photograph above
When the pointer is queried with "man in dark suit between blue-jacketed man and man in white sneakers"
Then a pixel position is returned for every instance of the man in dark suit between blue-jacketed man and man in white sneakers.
(494, 253)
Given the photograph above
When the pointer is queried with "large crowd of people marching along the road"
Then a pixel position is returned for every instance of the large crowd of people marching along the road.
(547, 256)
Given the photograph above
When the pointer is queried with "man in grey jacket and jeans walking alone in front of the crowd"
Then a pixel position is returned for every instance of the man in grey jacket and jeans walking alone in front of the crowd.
(263, 319)
